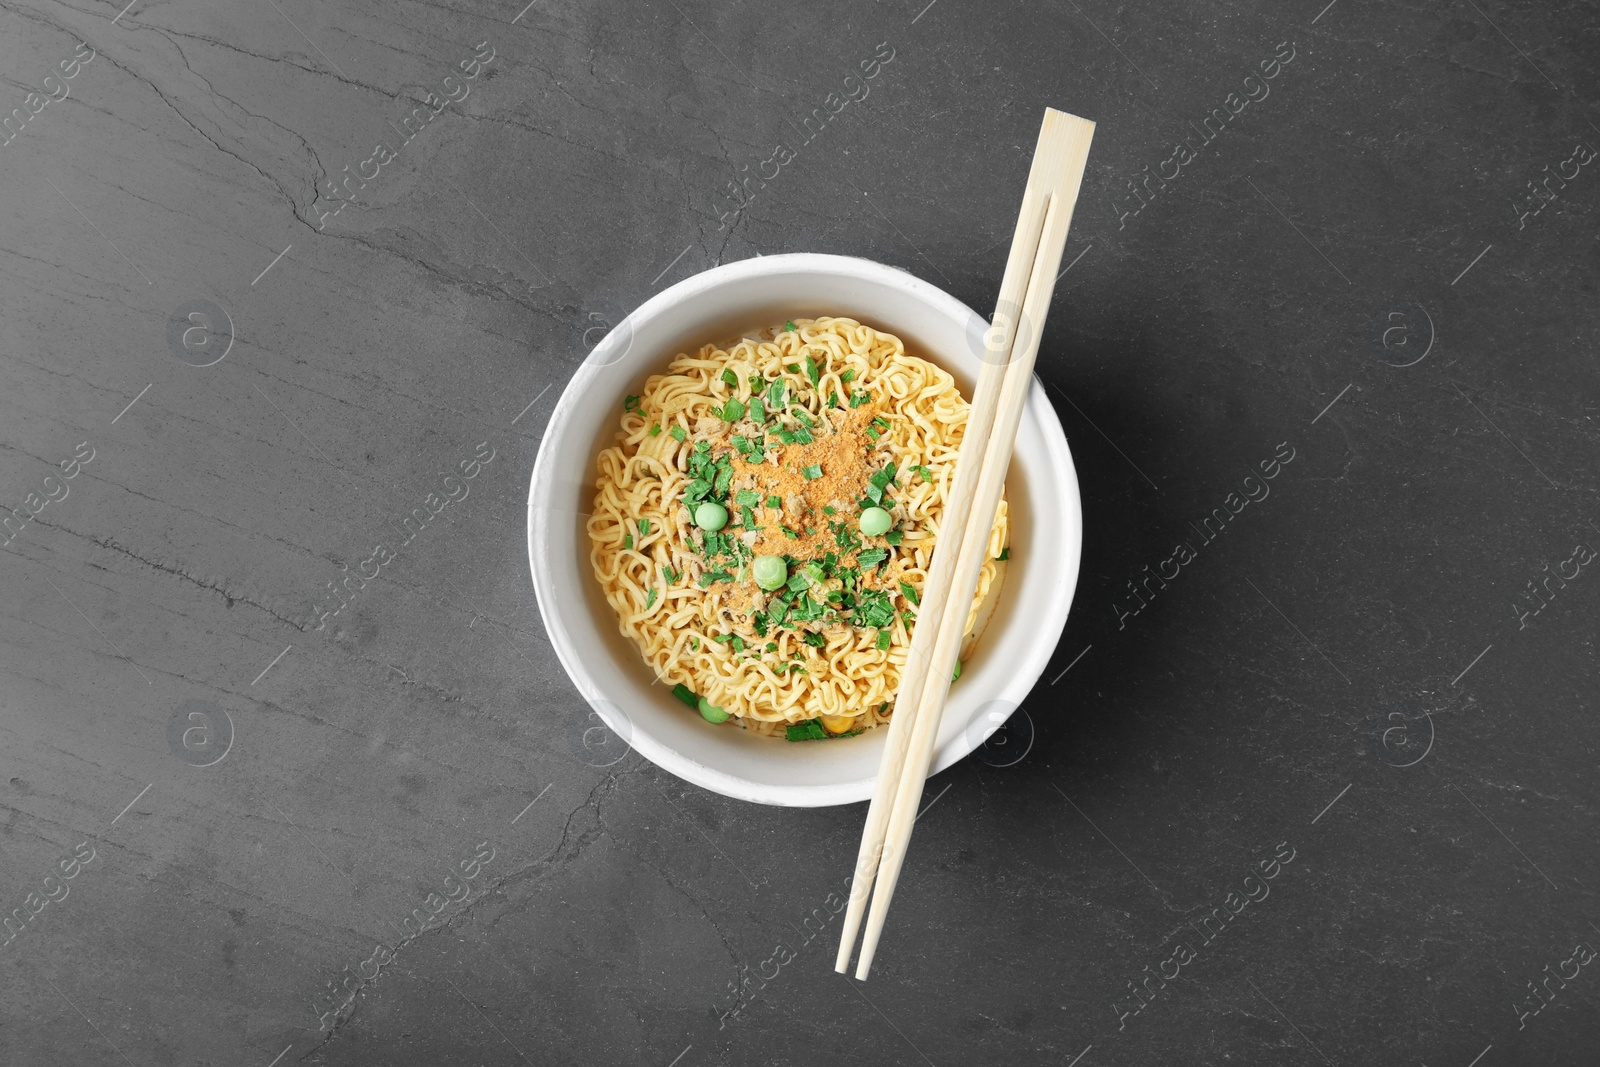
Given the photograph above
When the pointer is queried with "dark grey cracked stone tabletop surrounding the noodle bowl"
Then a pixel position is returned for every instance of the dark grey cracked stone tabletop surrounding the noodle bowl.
(1353, 641)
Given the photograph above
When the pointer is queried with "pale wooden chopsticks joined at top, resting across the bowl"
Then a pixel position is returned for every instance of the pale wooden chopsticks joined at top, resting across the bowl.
(1004, 383)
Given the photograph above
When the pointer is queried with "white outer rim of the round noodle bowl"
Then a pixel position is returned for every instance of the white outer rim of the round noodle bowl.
(1014, 690)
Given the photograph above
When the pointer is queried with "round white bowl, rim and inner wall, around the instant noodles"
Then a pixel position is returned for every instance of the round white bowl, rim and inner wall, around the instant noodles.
(1042, 489)
